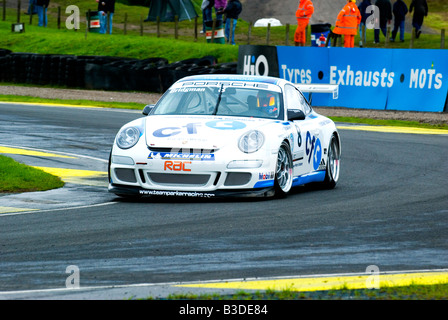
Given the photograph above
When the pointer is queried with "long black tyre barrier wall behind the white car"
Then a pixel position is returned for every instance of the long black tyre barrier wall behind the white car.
(102, 72)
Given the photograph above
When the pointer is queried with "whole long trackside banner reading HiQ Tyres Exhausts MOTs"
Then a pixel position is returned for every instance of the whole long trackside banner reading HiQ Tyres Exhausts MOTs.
(383, 79)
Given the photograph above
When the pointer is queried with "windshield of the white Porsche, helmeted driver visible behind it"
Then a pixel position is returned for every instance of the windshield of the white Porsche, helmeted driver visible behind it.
(220, 101)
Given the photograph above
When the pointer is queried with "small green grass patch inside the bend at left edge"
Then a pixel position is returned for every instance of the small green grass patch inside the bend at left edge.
(17, 177)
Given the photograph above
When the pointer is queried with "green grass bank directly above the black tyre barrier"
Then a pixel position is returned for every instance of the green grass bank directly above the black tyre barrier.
(63, 41)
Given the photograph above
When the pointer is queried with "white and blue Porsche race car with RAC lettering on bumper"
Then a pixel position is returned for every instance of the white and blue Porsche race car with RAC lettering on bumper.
(225, 135)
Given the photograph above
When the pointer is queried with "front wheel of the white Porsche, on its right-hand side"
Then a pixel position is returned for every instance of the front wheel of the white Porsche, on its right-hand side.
(283, 172)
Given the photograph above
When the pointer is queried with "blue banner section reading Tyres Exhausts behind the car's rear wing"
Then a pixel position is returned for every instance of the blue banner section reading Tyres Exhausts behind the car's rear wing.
(363, 75)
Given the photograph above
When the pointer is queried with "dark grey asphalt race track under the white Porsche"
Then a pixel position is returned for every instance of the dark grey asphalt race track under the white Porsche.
(390, 209)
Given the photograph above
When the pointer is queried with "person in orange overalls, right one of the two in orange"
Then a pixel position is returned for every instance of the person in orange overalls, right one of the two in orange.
(347, 23)
